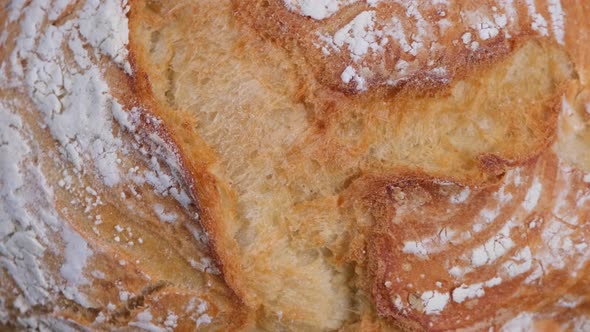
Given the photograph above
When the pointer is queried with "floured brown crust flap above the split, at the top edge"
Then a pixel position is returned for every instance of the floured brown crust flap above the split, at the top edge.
(426, 35)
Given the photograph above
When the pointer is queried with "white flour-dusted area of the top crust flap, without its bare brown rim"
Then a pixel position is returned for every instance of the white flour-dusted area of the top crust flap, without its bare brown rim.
(415, 35)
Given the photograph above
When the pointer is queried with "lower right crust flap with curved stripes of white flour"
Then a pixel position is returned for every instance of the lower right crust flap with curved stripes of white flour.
(510, 237)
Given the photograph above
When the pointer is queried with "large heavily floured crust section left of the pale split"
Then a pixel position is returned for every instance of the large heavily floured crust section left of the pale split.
(97, 231)
